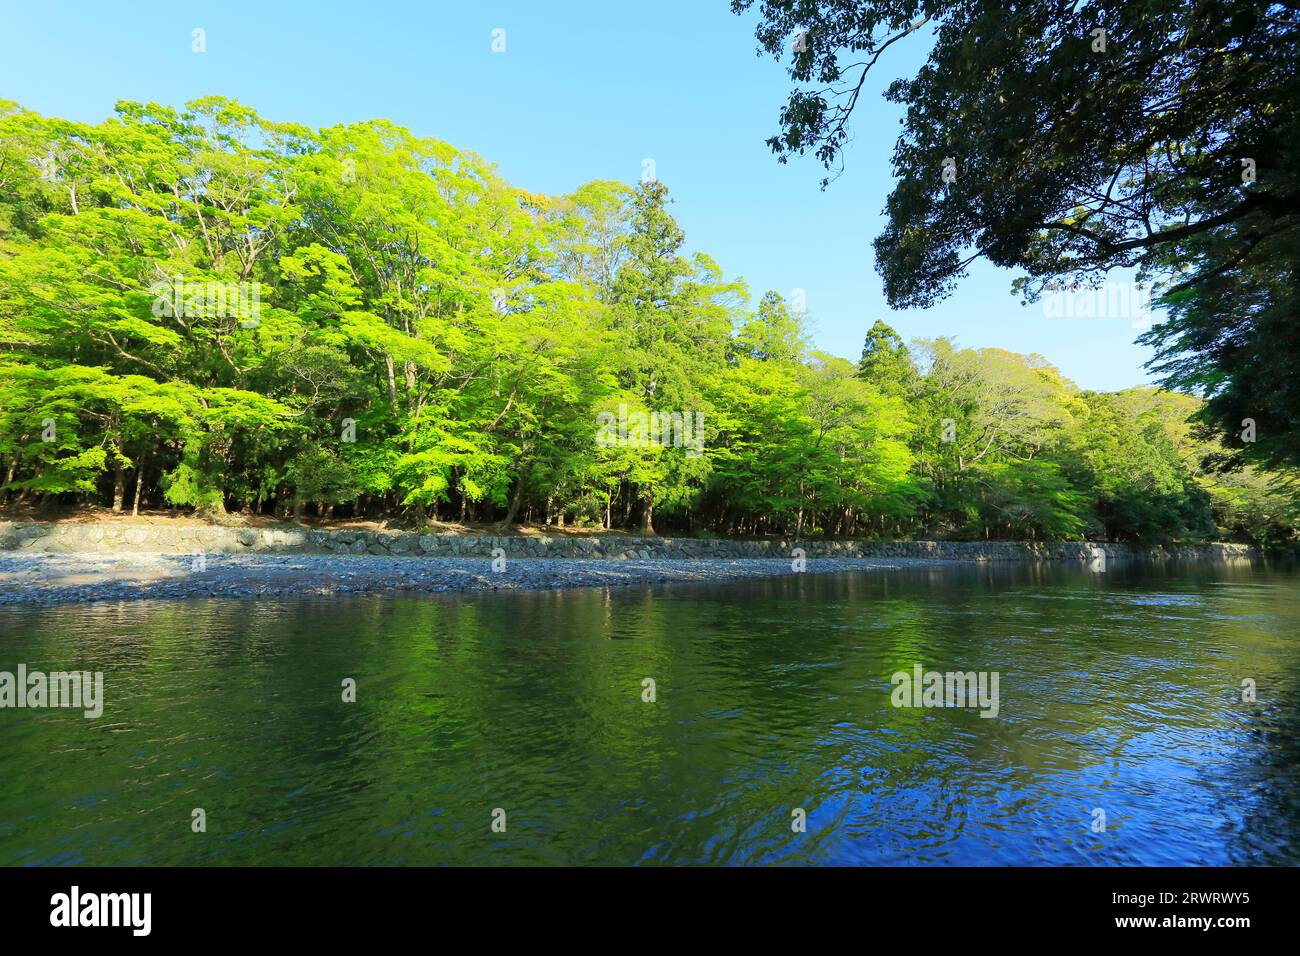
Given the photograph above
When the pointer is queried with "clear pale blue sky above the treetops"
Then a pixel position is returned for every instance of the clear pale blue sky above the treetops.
(586, 90)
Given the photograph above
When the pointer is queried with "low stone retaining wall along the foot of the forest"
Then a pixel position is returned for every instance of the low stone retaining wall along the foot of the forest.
(141, 537)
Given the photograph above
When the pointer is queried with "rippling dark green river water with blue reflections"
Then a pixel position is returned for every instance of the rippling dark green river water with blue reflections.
(1119, 691)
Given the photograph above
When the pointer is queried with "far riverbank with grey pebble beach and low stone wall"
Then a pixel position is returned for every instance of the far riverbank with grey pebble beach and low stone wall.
(51, 564)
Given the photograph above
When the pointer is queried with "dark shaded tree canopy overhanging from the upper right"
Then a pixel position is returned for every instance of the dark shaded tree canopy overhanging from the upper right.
(1084, 139)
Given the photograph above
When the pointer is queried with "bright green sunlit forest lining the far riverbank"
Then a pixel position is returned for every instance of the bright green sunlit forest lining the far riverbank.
(214, 313)
